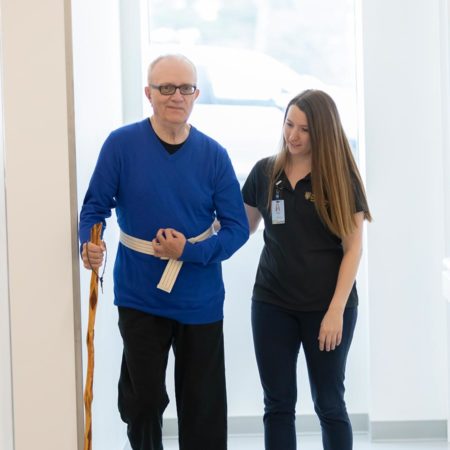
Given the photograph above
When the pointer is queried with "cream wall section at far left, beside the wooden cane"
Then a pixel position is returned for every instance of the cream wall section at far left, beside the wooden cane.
(38, 144)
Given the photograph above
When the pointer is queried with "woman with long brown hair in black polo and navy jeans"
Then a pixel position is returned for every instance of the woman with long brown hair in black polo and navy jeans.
(313, 204)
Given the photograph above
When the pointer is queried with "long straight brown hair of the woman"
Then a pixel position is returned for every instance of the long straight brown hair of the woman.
(334, 173)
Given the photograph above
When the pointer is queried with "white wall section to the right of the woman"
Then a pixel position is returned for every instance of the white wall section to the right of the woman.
(405, 153)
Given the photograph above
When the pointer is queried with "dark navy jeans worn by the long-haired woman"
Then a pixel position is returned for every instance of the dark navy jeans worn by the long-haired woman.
(278, 335)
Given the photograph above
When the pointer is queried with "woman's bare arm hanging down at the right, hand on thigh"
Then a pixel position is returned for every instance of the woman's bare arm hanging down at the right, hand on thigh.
(331, 328)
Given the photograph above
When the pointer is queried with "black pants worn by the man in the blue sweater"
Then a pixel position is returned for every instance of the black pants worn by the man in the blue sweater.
(199, 381)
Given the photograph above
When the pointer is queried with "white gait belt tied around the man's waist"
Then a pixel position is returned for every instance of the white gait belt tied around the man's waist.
(173, 266)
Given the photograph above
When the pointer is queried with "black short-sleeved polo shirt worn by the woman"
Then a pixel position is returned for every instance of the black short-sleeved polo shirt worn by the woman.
(300, 261)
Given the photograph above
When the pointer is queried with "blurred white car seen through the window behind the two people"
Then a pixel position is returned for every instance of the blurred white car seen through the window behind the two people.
(243, 95)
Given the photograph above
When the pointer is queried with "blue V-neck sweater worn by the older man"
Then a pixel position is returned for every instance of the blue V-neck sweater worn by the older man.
(152, 189)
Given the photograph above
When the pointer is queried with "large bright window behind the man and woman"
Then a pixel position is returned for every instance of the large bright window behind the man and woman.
(253, 56)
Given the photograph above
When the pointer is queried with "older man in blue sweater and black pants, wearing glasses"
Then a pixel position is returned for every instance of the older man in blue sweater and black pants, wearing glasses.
(168, 183)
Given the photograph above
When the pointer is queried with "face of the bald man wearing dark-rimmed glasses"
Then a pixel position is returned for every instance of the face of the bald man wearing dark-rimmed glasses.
(172, 109)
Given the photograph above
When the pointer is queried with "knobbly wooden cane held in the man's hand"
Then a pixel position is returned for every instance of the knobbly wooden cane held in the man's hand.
(93, 297)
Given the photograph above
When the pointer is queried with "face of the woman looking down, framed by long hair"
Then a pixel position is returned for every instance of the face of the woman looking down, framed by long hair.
(296, 132)
